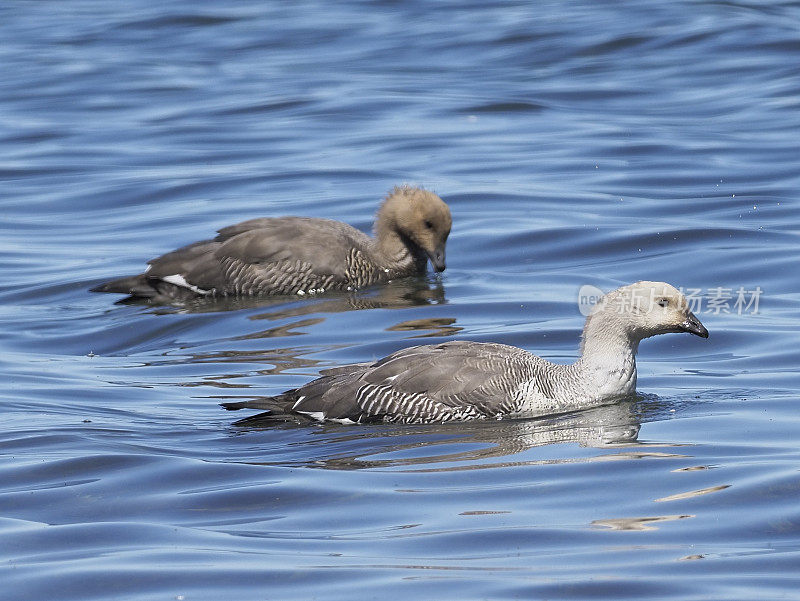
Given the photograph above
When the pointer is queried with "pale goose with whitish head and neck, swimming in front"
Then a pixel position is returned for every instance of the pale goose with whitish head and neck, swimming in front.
(464, 380)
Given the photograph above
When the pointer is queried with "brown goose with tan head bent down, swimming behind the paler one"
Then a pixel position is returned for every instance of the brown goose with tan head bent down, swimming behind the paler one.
(300, 255)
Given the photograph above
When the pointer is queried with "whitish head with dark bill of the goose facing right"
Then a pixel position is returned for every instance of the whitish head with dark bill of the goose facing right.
(646, 309)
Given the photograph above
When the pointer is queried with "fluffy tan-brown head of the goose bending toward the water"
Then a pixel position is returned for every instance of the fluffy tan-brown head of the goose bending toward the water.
(421, 220)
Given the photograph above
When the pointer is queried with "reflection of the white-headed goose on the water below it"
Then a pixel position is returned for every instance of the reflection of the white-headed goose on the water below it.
(476, 444)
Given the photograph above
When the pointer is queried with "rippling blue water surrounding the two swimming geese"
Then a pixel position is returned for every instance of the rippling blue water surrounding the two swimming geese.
(577, 143)
